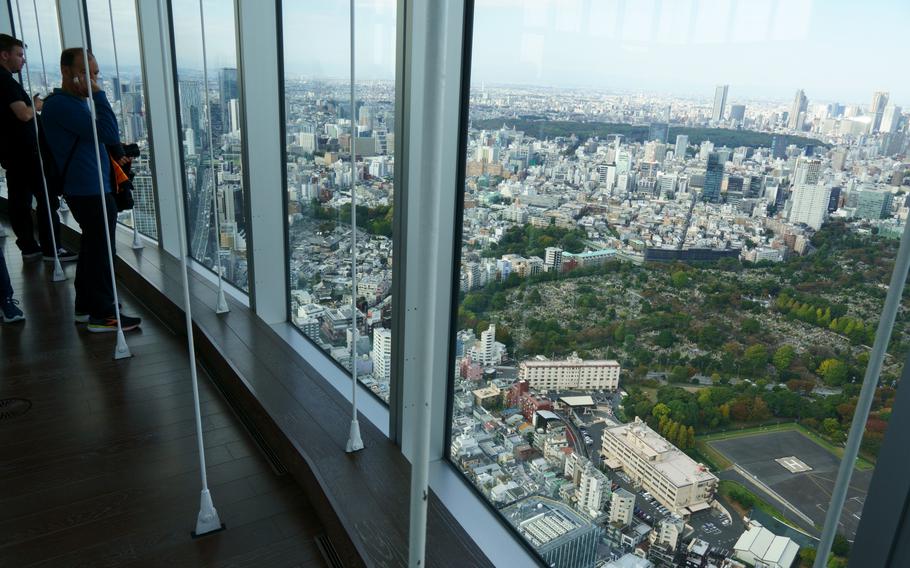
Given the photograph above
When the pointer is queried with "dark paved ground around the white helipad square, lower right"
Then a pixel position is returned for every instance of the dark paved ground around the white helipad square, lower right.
(808, 491)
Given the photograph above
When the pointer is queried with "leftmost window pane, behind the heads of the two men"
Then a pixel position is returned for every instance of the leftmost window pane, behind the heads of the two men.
(41, 34)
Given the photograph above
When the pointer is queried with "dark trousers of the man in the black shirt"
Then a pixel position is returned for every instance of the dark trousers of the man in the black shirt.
(23, 179)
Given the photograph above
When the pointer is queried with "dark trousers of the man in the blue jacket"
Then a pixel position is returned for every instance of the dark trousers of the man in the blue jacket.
(94, 288)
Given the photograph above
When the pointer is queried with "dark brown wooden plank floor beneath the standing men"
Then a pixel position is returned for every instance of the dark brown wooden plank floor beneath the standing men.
(102, 470)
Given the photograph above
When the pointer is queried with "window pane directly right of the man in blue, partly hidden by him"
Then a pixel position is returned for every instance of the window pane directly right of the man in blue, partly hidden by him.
(121, 77)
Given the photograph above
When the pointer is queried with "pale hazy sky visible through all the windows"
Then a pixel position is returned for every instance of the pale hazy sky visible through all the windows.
(836, 50)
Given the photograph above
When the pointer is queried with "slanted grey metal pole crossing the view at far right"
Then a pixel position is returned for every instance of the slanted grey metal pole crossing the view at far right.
(864, 404)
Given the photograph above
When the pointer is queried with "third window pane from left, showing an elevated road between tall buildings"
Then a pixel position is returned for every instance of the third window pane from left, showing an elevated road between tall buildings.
(214, 192)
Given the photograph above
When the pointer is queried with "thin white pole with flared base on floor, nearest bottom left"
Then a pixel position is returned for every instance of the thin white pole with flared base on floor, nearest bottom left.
(207, 520)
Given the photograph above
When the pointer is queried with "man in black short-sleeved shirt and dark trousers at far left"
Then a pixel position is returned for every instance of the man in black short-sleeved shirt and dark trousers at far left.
(19, 157)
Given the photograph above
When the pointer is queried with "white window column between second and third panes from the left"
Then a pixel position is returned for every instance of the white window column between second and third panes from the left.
(164, 136)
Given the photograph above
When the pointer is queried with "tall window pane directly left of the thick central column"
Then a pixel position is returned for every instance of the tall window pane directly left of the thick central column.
(319, 117)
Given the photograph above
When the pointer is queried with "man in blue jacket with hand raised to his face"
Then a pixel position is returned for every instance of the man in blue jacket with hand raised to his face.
(67, 124)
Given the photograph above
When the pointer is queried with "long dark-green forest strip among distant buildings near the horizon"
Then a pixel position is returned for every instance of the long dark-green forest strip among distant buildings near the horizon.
(542, 128)
